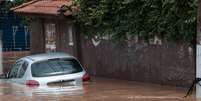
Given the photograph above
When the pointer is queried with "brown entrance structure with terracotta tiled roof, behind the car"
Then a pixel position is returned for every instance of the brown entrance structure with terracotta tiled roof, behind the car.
(50, 30)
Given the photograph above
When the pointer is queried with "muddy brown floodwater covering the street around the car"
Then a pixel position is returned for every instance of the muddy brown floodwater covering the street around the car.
(100, 89)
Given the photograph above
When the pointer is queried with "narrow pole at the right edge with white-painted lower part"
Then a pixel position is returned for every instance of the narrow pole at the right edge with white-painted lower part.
(198, 51)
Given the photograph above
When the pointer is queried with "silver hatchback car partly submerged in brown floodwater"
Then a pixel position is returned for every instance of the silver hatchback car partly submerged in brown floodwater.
(48, 69)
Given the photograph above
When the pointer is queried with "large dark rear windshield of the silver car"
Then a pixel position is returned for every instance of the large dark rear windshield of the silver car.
(53, 67)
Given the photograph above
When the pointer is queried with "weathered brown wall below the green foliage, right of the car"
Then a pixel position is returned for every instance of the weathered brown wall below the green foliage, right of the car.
(167, 63)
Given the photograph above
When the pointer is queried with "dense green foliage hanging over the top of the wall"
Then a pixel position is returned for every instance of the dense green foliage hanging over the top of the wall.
(169, 19)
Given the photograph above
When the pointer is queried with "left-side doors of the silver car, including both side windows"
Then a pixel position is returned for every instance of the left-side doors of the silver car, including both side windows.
(17, 72)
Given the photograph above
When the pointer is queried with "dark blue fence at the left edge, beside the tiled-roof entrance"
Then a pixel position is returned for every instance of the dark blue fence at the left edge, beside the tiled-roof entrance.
(15, 34)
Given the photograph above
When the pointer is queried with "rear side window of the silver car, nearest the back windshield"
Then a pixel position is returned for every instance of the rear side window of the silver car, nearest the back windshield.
(22, 69)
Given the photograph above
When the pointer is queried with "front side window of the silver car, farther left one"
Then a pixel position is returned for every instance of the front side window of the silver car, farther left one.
(14, 70)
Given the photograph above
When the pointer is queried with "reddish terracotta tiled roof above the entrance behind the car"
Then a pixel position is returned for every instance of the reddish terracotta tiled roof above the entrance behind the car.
(42, 7)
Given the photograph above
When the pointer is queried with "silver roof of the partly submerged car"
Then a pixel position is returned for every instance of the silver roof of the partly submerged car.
(45, 56)
